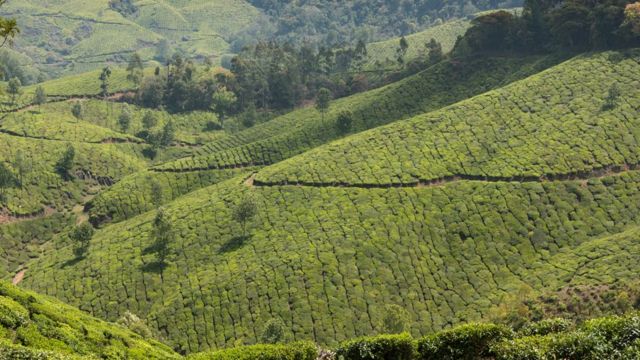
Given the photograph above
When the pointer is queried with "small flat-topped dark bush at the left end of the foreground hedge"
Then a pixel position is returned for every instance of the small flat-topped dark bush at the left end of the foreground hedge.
(382, 347)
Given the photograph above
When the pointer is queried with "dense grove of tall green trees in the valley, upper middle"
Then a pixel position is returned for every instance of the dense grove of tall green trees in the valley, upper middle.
(267, 76)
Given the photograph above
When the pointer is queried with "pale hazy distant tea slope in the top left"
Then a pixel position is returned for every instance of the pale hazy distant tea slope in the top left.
(73, 36)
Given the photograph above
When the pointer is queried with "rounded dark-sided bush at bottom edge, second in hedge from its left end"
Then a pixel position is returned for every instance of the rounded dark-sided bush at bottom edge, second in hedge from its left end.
(470, 341)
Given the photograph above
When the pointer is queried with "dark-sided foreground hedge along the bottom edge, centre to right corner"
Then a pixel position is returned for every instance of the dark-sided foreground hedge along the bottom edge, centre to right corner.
(606, 338)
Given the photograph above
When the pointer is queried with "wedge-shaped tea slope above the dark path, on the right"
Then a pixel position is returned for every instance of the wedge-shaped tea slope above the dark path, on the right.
(554, 124)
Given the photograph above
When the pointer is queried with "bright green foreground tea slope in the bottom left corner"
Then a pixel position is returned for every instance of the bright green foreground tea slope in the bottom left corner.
(36, 327)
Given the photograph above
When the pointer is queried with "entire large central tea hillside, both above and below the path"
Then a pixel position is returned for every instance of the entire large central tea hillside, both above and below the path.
(327, 257)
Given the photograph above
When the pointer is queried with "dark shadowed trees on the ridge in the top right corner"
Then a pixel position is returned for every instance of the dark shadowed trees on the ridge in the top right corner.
(552, 25)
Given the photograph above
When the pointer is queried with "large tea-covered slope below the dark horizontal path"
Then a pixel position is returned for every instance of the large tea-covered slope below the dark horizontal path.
(326, 260)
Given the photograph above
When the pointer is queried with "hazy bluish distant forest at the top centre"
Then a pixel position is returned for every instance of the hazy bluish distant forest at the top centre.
(352, 20)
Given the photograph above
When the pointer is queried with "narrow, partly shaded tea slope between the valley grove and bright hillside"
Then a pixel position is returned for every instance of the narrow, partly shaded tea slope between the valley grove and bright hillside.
(301, 130)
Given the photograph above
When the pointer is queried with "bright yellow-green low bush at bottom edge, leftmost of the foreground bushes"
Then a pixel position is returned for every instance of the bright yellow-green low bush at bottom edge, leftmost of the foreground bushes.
(293, 351)
